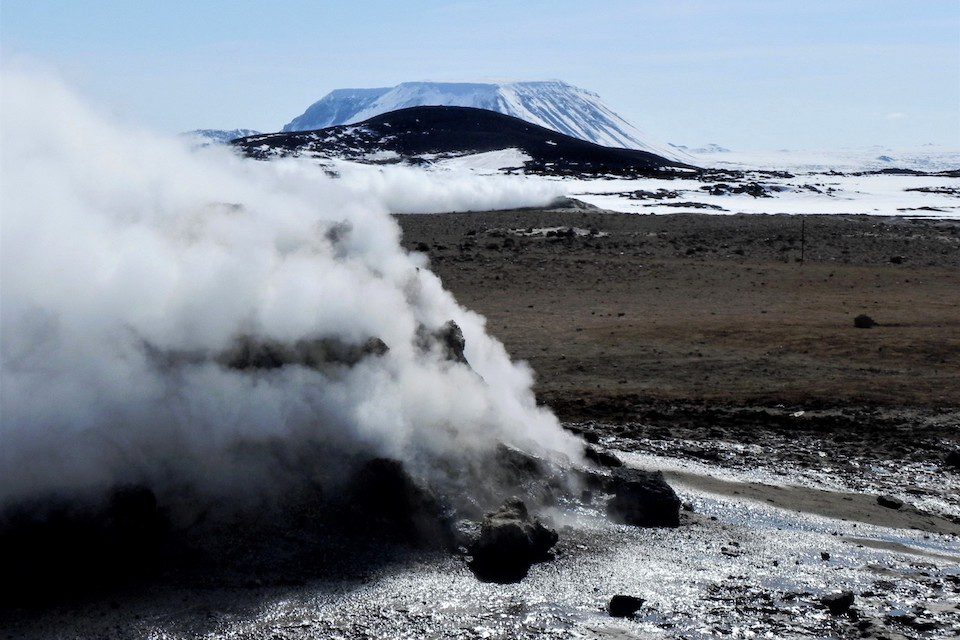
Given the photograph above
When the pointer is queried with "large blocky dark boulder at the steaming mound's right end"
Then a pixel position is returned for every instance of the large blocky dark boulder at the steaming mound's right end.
(643, 499)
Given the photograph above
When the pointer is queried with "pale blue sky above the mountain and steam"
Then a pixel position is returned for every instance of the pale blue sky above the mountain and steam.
(749, 74)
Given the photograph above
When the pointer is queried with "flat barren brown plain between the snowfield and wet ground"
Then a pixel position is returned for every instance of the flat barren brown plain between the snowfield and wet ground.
(697, 308)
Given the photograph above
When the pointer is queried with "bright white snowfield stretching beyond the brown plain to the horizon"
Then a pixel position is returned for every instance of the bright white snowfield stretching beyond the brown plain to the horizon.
(818, 183)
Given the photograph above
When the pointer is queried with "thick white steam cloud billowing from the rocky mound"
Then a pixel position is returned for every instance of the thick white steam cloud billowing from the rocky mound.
(135, 270)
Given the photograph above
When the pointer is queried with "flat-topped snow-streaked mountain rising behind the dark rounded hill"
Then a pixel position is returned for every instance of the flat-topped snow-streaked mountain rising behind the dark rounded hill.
(553, 104)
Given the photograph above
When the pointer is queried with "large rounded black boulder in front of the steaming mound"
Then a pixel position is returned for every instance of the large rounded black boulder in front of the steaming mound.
(510, 541)
